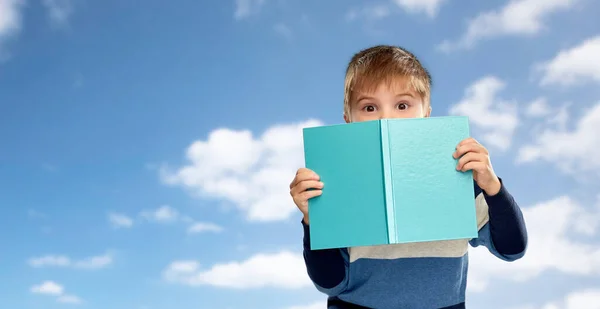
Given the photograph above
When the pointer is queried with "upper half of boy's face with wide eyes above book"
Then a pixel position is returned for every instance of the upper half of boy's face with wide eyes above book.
(398, 101)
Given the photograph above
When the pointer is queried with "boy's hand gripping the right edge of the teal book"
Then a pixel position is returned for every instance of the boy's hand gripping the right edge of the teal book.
(473, 156)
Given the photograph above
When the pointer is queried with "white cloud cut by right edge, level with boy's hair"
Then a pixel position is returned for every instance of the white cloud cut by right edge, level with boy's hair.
(577, 65)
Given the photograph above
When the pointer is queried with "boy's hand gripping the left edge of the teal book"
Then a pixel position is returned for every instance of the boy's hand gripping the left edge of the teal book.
(299, 189)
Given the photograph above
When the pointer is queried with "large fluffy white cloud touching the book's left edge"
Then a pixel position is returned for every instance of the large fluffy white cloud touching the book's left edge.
(253, 173)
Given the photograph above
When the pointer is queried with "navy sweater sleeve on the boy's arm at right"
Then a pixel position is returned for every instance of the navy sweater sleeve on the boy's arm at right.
(504, 233)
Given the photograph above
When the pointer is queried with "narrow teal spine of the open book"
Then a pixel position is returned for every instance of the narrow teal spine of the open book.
(387, 182)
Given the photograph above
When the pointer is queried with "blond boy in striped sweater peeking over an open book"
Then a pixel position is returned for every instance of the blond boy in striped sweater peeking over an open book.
(390, 82)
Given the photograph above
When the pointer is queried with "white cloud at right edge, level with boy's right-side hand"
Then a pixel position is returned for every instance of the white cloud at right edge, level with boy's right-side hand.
(572, 151)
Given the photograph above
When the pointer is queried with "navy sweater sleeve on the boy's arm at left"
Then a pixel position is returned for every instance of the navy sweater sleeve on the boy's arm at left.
(327, 268)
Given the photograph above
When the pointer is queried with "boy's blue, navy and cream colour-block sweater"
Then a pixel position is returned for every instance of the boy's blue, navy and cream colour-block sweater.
(416, 275)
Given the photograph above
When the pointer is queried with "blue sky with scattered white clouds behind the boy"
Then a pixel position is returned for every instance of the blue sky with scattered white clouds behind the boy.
(146, 149)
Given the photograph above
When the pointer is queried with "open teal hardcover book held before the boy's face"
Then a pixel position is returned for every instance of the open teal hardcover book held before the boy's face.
(389, 181)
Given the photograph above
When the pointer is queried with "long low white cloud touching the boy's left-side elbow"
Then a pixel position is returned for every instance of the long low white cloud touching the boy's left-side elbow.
(283, 270)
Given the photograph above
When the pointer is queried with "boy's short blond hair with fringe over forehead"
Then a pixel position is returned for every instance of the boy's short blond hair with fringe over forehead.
(383, 63)
